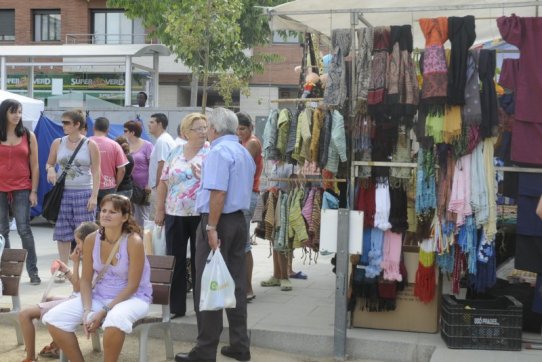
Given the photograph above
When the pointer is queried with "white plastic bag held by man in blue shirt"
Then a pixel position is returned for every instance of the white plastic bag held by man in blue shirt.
(217, 285)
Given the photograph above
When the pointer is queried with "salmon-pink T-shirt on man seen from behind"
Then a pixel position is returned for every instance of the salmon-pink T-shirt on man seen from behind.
(111, 158)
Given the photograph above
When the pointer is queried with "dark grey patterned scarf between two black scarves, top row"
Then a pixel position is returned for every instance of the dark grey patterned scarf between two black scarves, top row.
(472, 111)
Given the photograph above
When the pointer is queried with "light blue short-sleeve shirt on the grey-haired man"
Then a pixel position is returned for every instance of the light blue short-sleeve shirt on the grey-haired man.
(228, 167)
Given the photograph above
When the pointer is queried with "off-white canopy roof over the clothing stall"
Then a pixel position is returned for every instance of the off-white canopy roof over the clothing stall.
(322, 16)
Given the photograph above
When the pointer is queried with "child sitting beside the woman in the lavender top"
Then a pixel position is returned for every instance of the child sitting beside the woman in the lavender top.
(27, 316)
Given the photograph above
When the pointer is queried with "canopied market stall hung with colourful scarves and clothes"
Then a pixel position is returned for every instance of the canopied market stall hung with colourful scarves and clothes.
(426, 121)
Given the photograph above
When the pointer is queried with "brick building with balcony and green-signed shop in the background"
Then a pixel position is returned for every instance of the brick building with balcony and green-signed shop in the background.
(50, 22)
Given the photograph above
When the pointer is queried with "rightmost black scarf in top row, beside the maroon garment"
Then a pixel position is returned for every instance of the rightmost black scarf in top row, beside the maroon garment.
(488, 95)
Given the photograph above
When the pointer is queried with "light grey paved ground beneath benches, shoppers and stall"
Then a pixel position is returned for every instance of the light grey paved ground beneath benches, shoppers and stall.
(284, 326)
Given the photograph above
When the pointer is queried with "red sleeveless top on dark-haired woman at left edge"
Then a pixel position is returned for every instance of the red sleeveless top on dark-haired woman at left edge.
(15, 166)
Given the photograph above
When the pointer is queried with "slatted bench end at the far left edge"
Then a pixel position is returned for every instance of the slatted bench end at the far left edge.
(11, 268)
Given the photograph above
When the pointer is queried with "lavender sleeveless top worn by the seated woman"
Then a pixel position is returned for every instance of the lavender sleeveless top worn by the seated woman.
(115, 278)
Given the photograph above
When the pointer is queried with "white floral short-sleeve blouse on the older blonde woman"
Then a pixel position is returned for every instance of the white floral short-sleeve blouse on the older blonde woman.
(182, 184)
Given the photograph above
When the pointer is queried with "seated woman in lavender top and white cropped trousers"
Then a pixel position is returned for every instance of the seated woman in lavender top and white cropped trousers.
(121, 292)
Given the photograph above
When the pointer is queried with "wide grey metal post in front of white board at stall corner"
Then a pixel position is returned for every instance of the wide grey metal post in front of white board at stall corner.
(341, 284)
